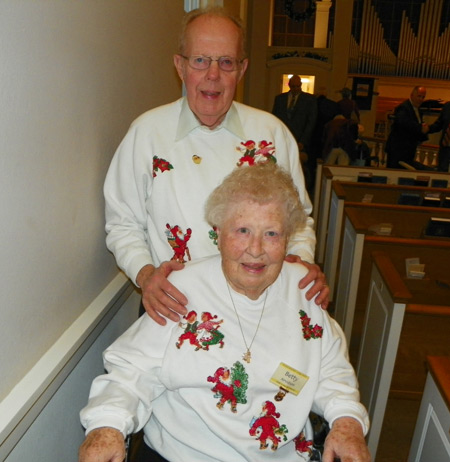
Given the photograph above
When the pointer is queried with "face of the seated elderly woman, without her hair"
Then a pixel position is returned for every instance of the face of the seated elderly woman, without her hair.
(252, 242)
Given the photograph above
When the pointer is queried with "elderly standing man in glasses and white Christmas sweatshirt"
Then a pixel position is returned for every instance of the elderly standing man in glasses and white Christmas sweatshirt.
(175, 155)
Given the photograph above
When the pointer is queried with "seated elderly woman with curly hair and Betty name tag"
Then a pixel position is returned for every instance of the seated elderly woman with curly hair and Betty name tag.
(237, 379)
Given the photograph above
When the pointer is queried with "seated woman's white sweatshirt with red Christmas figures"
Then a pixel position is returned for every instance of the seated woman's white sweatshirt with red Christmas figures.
(172, 379)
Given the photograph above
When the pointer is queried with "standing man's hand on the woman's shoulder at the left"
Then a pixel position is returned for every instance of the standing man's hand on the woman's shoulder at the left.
(160, 298)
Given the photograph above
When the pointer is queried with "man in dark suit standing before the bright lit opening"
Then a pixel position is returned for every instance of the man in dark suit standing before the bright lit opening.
(298, 110)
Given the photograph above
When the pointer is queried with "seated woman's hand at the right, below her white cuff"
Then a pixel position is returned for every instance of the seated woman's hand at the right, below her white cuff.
(346, 442)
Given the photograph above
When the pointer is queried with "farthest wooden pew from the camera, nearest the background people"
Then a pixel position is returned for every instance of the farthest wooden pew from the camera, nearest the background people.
(325, 174)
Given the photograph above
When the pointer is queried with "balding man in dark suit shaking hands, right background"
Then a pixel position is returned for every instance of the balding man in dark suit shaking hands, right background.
(407, 131)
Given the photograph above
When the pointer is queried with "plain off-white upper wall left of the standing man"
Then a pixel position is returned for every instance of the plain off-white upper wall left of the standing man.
(73, 75)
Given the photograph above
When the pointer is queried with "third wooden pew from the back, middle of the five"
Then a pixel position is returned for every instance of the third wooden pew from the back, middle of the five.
(358, 241)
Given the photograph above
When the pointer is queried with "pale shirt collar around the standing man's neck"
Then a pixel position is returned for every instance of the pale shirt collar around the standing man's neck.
(187, 122)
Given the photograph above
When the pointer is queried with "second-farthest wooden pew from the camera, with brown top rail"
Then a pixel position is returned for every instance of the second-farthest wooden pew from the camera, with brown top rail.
(352, 193)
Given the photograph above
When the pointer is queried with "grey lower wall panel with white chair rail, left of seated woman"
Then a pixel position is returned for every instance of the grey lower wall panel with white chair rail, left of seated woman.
(50, 430)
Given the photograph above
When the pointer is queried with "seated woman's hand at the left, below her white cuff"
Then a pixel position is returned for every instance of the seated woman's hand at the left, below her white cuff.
(103, 445)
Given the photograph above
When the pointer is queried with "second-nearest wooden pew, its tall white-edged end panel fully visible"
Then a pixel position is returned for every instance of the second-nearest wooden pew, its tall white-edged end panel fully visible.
(402, 316)
